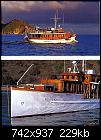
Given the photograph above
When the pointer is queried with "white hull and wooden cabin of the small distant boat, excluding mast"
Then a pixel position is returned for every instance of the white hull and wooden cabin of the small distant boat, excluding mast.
(50, 38)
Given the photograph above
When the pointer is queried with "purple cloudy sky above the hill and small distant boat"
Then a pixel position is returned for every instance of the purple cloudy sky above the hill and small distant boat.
(42, 11)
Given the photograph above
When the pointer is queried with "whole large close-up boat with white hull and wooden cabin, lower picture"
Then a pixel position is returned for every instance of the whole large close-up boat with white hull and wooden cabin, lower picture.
(74, 91)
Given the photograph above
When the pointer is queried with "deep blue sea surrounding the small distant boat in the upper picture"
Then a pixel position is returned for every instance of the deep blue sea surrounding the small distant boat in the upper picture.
(88, 45)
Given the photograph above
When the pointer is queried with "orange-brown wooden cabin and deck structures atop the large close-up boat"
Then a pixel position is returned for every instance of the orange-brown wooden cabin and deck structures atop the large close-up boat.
(72, 81)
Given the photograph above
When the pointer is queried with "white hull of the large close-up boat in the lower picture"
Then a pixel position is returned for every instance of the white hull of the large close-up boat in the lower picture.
(25, 103)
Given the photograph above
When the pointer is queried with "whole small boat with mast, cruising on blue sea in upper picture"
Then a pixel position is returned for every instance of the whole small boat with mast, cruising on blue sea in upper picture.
(53, 35)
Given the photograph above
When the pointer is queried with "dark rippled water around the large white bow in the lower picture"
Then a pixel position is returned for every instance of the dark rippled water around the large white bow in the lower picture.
(81, 118)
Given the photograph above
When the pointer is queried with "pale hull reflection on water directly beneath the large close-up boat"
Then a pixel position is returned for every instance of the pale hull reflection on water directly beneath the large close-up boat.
(81, 118)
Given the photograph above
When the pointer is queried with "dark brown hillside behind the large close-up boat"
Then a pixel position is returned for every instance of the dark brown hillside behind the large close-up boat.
(12, 70)
